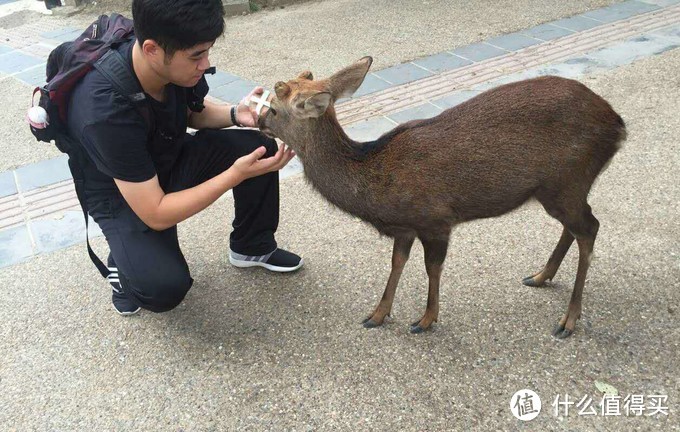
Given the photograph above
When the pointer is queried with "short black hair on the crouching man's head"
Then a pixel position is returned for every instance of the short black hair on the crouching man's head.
(178, 24)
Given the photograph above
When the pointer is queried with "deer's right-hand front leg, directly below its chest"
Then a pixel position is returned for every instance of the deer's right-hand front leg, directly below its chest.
(435, 253)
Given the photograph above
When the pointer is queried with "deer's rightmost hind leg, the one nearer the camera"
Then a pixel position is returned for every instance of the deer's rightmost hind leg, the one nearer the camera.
(584, 229)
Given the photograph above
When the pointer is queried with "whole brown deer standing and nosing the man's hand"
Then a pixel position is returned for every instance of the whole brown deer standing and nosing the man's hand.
(546, 138)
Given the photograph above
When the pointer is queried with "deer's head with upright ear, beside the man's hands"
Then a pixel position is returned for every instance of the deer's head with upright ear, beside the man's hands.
(300, 103)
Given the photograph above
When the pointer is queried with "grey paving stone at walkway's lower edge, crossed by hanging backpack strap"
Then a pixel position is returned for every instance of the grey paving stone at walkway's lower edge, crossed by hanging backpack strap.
(53, 234)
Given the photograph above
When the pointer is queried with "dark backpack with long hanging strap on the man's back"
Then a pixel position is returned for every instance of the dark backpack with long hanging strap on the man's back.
(66, 66)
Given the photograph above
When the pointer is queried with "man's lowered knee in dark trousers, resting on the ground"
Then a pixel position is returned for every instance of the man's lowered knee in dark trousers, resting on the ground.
(161, 292)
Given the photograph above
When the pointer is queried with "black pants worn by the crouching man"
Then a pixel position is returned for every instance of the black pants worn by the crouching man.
(151, 267)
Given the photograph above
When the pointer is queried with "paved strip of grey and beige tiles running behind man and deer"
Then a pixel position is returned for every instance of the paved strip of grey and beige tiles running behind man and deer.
(39, 212)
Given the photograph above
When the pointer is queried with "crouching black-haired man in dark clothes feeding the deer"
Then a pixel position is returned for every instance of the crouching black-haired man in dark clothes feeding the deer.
(143, 176)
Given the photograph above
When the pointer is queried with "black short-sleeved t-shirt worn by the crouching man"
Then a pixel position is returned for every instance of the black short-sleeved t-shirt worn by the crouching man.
(117, 138)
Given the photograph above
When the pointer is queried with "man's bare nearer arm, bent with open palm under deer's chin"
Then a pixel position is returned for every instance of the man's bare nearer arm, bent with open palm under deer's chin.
(160, 211)
